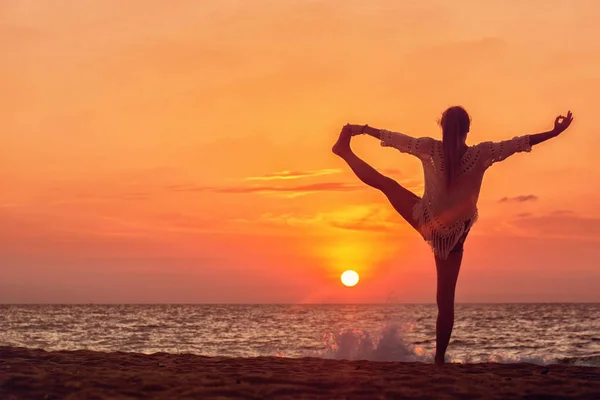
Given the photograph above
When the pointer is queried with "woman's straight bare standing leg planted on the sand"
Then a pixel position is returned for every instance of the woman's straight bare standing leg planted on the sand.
(447, 275)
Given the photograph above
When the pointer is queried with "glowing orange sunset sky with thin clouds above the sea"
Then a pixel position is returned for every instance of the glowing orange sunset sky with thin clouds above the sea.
(144, 147)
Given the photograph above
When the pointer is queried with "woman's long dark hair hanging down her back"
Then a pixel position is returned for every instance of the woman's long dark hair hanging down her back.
(455, 124)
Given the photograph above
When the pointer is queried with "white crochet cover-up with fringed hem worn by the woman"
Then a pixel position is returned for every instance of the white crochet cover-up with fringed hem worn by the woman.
(443, 215)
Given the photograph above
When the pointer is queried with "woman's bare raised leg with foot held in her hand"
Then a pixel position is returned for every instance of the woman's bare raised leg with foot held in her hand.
(402, 199)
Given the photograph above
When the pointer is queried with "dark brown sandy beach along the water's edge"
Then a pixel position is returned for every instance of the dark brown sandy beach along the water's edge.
(37, 374)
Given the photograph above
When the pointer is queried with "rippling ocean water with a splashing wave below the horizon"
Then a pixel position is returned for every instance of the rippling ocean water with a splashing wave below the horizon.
(535, 333)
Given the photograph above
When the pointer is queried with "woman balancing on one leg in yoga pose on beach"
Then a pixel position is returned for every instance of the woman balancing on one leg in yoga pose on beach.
(448, 209)
